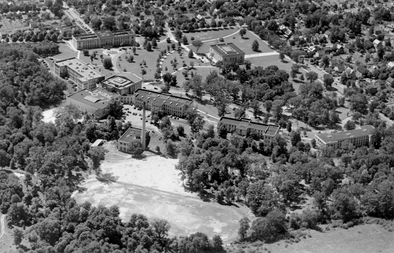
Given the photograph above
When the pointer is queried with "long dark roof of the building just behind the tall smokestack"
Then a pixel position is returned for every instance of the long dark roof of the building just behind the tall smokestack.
(161, 97)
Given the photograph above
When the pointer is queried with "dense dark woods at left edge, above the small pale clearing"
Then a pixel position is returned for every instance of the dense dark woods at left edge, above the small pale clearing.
(24, 80)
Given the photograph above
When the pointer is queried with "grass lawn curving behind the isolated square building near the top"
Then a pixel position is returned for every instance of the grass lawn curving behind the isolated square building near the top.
(245, 44)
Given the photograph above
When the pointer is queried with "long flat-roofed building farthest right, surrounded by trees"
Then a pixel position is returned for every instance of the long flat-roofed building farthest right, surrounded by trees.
(358, 137)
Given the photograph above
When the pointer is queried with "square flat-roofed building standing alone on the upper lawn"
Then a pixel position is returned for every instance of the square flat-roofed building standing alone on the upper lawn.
(227, 53)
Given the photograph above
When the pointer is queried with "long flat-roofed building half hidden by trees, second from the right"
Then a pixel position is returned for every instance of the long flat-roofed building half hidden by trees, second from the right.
(247, 126)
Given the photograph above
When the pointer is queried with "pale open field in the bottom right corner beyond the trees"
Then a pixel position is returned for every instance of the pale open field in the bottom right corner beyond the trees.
(359, 239)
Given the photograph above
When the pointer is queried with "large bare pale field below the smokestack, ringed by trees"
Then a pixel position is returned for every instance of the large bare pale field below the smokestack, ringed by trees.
(152, 187)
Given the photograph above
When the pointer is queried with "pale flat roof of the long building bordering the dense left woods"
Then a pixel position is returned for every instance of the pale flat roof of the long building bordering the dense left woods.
(86, 72)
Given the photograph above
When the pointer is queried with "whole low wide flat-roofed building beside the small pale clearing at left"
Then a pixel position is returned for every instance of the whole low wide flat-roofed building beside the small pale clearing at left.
(95, 102)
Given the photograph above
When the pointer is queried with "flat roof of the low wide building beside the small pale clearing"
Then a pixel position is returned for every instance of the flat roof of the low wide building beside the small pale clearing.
(98, 98)
